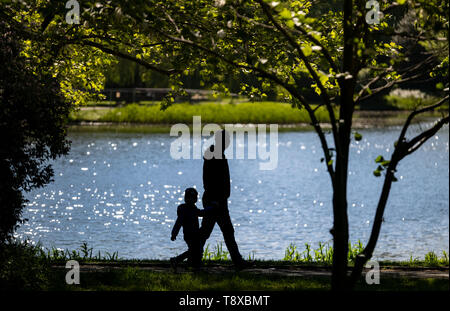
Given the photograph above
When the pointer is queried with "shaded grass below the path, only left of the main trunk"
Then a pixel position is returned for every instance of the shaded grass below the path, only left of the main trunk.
(135, 279)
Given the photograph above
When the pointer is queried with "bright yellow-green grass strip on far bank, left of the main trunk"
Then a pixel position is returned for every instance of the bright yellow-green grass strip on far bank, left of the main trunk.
(210, 112)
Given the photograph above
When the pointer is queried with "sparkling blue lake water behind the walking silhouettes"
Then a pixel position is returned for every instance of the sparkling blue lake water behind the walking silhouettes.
(119, 192)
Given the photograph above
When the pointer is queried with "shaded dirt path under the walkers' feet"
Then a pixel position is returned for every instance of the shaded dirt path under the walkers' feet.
(296, 271)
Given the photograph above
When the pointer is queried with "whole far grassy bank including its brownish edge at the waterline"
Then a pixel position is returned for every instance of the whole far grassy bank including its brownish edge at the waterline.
(149, 118)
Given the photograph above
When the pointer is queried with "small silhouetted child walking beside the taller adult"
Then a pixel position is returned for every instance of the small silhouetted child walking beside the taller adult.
(188, 214)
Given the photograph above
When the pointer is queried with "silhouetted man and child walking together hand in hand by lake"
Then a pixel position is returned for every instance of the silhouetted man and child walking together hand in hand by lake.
(216, 183)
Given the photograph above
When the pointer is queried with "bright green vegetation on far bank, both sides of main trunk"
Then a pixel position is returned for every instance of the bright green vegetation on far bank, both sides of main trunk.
(227, 111)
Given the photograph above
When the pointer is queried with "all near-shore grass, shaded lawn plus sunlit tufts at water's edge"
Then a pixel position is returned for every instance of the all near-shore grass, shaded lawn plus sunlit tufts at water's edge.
(26, 266)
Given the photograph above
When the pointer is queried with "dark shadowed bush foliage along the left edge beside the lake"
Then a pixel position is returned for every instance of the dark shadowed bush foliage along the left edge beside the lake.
(32, 122)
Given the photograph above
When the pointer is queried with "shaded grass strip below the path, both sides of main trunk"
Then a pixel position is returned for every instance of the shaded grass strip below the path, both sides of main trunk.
(135, 279)
